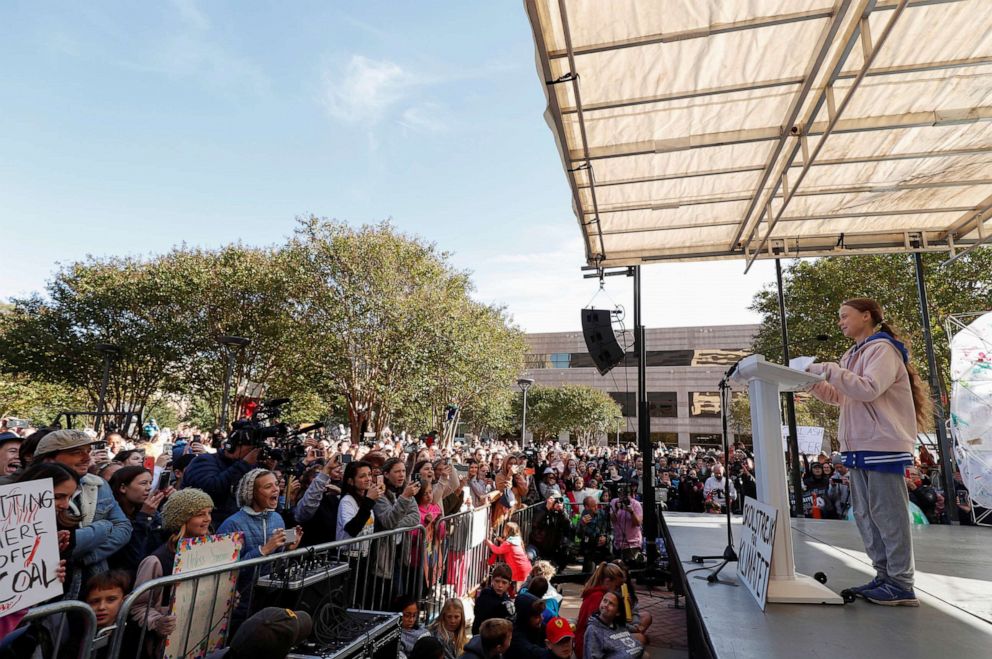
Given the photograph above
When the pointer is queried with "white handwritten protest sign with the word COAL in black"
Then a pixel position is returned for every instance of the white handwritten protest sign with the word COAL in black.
(29, 545)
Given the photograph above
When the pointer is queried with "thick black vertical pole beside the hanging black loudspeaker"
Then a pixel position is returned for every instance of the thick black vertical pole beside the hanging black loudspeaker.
(649, 509)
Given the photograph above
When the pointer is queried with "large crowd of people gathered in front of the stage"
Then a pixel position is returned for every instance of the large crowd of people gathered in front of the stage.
(123, 506)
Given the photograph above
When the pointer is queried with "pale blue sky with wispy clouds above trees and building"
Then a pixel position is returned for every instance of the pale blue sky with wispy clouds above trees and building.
(126, 128)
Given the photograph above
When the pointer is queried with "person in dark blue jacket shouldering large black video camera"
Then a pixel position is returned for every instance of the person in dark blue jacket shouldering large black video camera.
(218, 473)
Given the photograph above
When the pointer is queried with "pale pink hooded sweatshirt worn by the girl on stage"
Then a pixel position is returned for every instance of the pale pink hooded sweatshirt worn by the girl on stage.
(876, 401)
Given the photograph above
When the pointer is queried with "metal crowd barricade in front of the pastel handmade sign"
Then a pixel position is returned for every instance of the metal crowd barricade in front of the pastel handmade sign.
(325, 580)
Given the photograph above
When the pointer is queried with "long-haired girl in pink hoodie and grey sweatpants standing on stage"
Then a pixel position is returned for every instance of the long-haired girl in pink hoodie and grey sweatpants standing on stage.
(882, 402)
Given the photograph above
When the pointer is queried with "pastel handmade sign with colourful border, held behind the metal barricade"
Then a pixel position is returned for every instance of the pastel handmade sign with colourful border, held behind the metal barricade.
(207, 622)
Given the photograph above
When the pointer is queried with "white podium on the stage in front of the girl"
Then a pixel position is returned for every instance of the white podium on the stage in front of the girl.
(765, 381)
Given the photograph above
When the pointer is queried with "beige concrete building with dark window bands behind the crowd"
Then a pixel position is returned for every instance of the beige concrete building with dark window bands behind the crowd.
(684, 368)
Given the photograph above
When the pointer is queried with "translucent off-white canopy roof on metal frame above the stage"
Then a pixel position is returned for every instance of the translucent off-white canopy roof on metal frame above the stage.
(701, 129)
